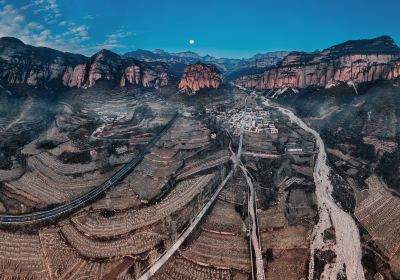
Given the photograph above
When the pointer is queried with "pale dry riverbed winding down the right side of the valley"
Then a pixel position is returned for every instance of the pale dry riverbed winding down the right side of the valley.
(347, 246)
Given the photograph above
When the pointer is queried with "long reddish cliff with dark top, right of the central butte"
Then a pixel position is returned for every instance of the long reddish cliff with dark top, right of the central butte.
(353, 61)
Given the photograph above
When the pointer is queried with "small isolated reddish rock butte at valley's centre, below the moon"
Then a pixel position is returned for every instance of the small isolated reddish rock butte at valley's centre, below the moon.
(198, 76)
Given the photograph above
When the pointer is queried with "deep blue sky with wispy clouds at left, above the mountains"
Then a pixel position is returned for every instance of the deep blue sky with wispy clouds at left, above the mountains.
(223, 28)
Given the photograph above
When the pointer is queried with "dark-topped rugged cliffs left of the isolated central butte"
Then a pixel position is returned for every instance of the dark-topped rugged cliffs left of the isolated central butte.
(22, 64)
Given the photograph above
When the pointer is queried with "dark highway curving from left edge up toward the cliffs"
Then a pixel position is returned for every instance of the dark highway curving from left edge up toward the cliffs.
(91, 195)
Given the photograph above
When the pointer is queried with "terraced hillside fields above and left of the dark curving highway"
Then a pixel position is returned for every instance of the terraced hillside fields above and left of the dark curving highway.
(87, 141)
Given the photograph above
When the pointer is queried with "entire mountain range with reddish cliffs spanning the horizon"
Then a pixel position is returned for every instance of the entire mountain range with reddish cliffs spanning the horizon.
(353, 62)
